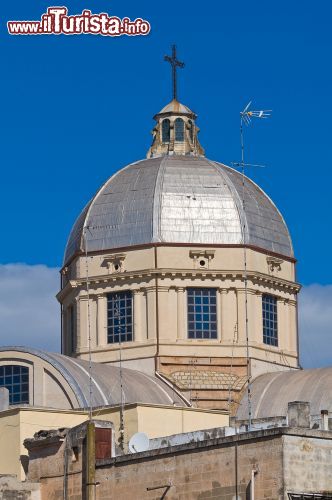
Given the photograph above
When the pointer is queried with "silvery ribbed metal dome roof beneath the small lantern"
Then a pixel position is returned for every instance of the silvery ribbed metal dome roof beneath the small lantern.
(179, 199)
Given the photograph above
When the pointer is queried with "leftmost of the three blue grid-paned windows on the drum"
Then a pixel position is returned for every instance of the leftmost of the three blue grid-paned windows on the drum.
(119, 317)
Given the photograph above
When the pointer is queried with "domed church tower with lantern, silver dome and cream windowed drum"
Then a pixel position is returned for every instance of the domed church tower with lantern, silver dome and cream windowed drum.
(176, 261)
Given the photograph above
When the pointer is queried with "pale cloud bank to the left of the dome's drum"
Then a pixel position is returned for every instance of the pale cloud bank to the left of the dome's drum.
(29, 311)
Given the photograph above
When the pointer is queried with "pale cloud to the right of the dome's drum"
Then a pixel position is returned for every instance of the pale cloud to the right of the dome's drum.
(315, 322)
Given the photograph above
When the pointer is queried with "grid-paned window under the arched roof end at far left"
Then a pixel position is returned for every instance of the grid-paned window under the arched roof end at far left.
(16, 379)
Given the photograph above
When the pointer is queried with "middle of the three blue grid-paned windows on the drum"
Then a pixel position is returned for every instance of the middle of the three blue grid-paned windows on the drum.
(202, 313)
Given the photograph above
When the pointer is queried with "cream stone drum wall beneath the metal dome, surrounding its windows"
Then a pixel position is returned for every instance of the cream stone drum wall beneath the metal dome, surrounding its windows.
(159, 277)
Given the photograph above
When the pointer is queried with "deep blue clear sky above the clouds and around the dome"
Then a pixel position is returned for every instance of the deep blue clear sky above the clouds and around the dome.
(75, 109)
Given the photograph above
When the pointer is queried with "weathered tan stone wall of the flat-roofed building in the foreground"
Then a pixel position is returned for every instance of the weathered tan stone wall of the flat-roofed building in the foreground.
(296, 460)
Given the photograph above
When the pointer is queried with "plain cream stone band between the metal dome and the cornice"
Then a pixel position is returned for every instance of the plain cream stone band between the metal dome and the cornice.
(179, 257)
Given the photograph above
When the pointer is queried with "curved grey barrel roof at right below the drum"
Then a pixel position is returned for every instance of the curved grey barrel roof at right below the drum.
(271, 392)
